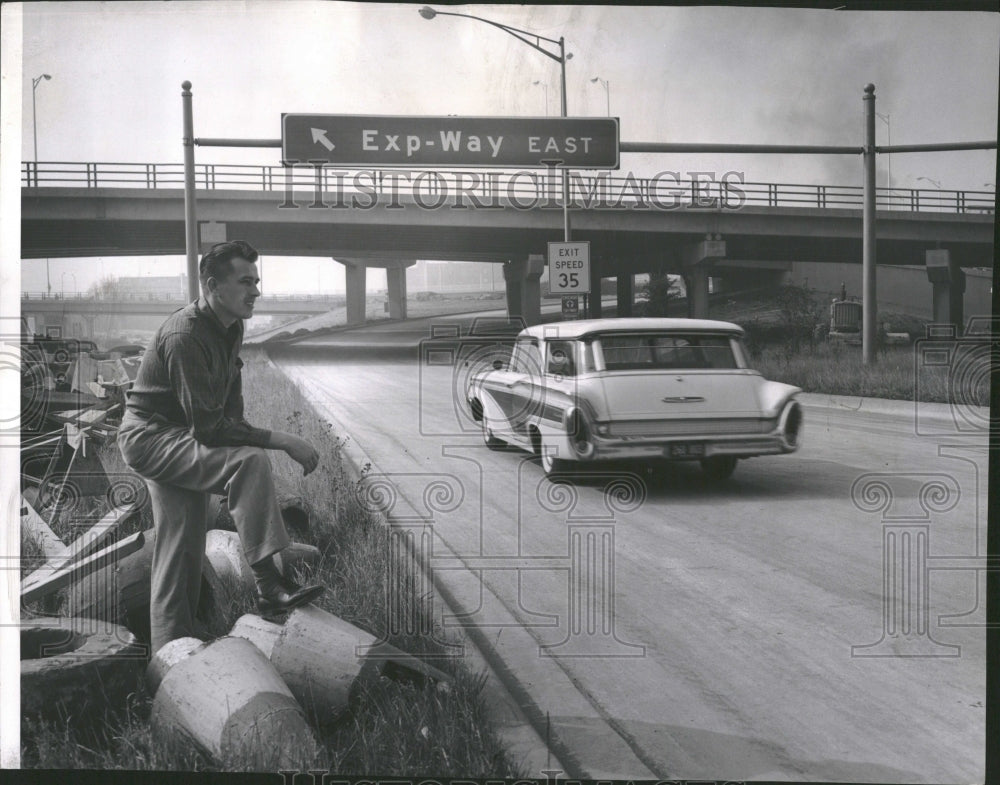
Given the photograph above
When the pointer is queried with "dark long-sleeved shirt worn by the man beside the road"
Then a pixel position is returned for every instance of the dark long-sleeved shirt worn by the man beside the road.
(190, 375)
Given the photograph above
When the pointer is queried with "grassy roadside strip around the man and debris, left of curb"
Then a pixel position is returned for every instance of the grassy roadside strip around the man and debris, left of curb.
(395, 727)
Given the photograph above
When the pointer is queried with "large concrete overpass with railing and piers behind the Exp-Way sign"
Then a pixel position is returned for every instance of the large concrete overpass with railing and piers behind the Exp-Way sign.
(735, 231)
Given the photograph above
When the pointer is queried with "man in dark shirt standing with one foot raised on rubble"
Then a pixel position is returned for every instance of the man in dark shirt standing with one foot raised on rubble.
(184, 432)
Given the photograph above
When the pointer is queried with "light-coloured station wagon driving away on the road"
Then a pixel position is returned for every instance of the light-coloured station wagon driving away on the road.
(655, 389)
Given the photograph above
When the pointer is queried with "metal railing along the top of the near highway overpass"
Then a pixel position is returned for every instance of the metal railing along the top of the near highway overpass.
(496, 189)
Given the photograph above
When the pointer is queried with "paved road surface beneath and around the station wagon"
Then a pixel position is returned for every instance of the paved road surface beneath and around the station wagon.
(706, 631)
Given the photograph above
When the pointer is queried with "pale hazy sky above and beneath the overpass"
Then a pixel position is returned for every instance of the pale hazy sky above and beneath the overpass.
(674, 74)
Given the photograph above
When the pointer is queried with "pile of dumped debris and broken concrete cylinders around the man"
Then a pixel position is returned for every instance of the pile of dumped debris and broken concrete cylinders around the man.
(245, 700)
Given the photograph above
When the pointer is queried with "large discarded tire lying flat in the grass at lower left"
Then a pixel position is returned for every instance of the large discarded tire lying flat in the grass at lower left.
(77, 668)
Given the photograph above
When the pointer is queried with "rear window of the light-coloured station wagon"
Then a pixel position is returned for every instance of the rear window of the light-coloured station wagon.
(673, 351)
